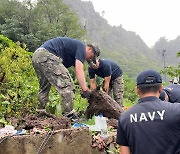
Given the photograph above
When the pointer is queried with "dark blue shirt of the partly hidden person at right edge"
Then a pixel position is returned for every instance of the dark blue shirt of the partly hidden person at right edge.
(173, 92)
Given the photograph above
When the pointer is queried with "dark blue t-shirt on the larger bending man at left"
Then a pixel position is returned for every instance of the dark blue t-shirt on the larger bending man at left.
(67, 48)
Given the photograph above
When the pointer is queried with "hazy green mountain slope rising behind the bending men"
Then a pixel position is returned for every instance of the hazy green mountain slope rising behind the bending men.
(124, 47)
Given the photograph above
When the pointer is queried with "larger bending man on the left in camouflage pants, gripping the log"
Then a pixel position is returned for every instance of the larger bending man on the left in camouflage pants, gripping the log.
(51, 61)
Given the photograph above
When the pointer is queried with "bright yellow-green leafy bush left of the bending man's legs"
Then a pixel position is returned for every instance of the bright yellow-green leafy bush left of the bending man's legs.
(17, 80)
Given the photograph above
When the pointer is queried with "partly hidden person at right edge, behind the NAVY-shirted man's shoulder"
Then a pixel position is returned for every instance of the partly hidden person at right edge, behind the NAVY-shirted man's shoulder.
(171, 93)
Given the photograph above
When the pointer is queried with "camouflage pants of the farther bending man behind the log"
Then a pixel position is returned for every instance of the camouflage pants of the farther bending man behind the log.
(116, 90)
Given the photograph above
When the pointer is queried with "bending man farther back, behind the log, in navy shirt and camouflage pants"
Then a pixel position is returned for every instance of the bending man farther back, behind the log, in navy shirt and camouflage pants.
(112, 75)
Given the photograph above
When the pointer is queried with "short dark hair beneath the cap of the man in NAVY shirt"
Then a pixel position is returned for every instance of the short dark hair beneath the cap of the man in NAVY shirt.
(146, 88)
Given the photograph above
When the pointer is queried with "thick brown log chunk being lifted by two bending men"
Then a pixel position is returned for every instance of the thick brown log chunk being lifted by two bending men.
(101, 102)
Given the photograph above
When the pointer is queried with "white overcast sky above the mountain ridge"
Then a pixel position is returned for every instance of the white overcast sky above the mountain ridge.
(150, 19)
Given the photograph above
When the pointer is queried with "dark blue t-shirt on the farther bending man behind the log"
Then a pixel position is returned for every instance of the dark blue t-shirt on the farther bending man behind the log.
(106, 68)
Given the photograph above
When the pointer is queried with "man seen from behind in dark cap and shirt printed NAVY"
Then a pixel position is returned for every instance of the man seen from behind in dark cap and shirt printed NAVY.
(151, 126)
